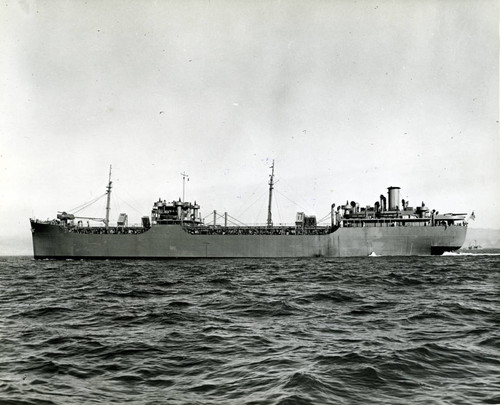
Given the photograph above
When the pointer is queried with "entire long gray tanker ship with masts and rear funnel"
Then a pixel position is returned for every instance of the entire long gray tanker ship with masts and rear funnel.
(176, 230)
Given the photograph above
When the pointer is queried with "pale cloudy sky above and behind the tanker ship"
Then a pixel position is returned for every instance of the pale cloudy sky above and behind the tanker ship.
(347, 97)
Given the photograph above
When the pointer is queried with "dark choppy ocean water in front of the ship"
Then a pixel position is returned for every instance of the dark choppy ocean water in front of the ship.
(374, 330)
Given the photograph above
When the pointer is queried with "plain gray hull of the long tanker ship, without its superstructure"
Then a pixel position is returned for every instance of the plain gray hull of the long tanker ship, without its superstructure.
(53, 241)
